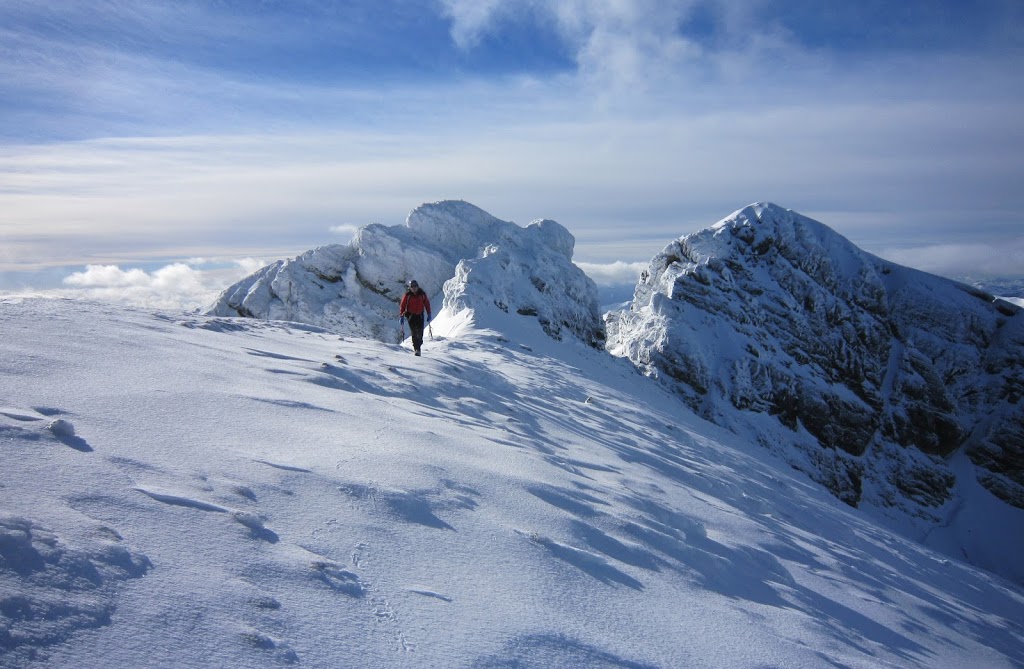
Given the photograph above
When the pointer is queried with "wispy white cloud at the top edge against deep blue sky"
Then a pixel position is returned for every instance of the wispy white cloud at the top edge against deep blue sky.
(630, 53)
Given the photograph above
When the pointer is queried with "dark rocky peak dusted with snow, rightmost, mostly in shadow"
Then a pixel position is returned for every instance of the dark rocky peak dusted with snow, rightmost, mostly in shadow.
(880, 374)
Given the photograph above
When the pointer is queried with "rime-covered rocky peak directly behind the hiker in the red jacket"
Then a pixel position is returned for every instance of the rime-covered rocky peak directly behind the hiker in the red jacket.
(356, 289)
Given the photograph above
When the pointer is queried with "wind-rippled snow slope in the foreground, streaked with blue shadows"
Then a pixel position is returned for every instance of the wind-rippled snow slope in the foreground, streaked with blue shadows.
(192, 491)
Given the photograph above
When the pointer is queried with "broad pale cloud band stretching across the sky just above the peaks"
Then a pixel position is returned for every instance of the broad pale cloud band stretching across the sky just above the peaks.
(606, 180)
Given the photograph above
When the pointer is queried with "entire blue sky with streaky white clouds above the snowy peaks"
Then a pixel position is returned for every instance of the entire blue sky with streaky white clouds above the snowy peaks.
(142, 135)
